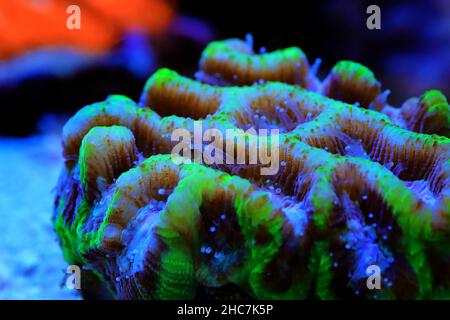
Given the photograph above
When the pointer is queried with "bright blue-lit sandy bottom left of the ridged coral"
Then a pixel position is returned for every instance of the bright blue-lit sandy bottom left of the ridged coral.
(31, 262)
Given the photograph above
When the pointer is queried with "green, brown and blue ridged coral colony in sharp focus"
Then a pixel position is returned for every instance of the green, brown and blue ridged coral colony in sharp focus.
(359, 184)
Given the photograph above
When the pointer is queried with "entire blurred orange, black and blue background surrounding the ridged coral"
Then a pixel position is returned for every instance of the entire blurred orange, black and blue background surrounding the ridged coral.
(48, 72)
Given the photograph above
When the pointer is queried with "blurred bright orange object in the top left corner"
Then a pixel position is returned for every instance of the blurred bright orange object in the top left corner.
(30, 24)
